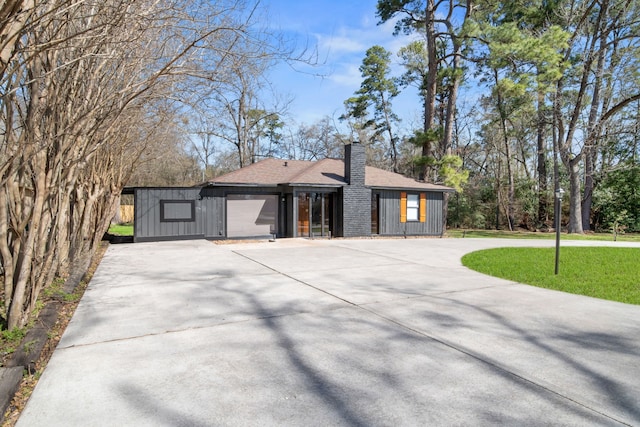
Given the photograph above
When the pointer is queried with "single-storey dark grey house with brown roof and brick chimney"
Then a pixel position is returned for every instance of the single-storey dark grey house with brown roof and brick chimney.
(294, 198)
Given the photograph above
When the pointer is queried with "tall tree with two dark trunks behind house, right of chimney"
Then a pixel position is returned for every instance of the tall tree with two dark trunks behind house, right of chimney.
(435, 65)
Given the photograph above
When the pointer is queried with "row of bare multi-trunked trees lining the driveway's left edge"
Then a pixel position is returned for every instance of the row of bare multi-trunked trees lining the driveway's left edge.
(86, 87)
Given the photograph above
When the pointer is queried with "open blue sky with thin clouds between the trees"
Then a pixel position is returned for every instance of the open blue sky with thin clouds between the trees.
(341, 31)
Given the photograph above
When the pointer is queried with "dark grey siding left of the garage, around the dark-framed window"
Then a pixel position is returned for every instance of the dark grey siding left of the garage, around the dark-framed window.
(149, 224)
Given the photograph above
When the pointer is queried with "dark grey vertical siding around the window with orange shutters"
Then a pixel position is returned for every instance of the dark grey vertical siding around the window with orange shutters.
(389, 215)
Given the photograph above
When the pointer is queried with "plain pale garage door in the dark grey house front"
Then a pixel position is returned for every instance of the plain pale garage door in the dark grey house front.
(251, 215)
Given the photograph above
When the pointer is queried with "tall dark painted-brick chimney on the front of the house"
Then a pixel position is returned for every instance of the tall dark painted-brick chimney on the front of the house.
(356, 198)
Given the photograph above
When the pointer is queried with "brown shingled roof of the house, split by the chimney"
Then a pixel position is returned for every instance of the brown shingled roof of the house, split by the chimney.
(326, 172)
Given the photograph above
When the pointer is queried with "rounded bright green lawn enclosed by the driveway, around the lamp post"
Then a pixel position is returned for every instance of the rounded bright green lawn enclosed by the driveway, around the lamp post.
(600, 272)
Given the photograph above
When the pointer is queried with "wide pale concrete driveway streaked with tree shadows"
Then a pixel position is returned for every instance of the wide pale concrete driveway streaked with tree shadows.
(328, 333)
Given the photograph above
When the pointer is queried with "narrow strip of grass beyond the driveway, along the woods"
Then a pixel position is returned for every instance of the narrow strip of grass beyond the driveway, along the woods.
(502, 234)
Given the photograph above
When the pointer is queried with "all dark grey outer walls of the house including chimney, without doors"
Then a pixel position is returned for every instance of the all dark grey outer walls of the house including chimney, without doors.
(351, 211)
